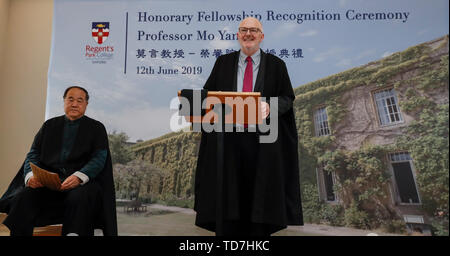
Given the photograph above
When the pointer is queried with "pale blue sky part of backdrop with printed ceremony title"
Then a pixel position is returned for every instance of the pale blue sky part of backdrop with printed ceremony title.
(133, 56)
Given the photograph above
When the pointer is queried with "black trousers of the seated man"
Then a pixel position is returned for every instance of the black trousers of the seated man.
(75, 209)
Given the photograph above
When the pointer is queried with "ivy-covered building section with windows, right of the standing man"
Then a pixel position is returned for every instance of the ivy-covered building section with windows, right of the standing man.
(374, 143)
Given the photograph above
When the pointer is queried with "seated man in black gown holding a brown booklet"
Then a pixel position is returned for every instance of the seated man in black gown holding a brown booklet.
(76, 148)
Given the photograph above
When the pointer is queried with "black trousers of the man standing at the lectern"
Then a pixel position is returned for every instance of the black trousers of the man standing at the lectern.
(242, 152)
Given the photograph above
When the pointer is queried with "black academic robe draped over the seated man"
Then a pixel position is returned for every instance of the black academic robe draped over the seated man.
(91, 136)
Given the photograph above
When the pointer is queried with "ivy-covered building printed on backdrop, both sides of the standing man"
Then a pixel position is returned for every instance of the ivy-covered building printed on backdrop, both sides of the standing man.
(373, 148)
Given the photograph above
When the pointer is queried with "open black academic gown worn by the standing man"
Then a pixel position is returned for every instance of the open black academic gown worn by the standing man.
(276, 193)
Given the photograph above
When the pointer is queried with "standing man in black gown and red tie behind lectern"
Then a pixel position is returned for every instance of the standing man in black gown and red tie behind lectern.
(261, 186)
